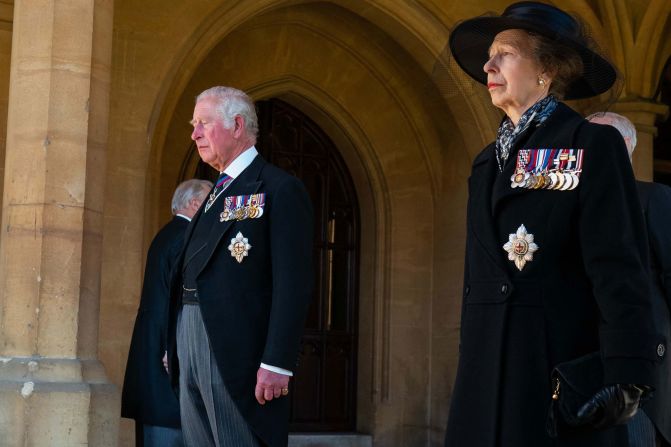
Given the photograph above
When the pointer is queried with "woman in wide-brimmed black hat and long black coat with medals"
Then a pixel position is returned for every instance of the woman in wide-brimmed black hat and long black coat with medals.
(556, 254)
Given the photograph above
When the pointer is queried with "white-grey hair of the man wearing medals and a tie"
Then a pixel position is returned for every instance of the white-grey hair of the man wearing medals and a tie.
(232, 102)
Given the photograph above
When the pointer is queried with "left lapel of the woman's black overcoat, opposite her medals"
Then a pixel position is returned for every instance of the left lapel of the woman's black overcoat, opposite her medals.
(481, 220)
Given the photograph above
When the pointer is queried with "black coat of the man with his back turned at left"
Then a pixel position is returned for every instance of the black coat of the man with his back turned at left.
(147, 395)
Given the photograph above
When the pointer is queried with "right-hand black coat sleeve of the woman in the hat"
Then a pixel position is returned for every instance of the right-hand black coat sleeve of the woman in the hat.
(615, 251)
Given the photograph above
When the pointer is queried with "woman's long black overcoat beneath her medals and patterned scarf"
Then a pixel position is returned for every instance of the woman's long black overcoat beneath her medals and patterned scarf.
(586, 289)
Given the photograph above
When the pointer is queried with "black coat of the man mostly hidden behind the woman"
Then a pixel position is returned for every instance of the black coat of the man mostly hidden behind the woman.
(656, 202)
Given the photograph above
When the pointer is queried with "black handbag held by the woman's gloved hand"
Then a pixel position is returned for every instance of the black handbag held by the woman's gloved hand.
(573, 384)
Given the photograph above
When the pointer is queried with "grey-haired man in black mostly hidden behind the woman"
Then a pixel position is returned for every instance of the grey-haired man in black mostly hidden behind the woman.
(656, 201)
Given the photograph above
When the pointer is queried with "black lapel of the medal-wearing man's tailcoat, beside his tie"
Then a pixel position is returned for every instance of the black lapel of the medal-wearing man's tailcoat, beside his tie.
(246, 183)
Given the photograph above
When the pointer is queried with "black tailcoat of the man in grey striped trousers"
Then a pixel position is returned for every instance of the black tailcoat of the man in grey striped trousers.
(254, 311)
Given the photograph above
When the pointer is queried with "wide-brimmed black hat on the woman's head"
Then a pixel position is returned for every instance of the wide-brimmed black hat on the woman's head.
(470, 41)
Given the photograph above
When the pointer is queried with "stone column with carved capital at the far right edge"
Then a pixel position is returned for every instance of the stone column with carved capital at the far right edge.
(644, 114)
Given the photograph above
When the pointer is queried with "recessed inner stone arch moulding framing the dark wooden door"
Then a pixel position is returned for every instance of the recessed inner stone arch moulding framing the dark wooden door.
(380, 104)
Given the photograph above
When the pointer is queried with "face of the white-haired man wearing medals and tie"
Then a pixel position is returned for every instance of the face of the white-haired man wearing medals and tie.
(216, 144)
